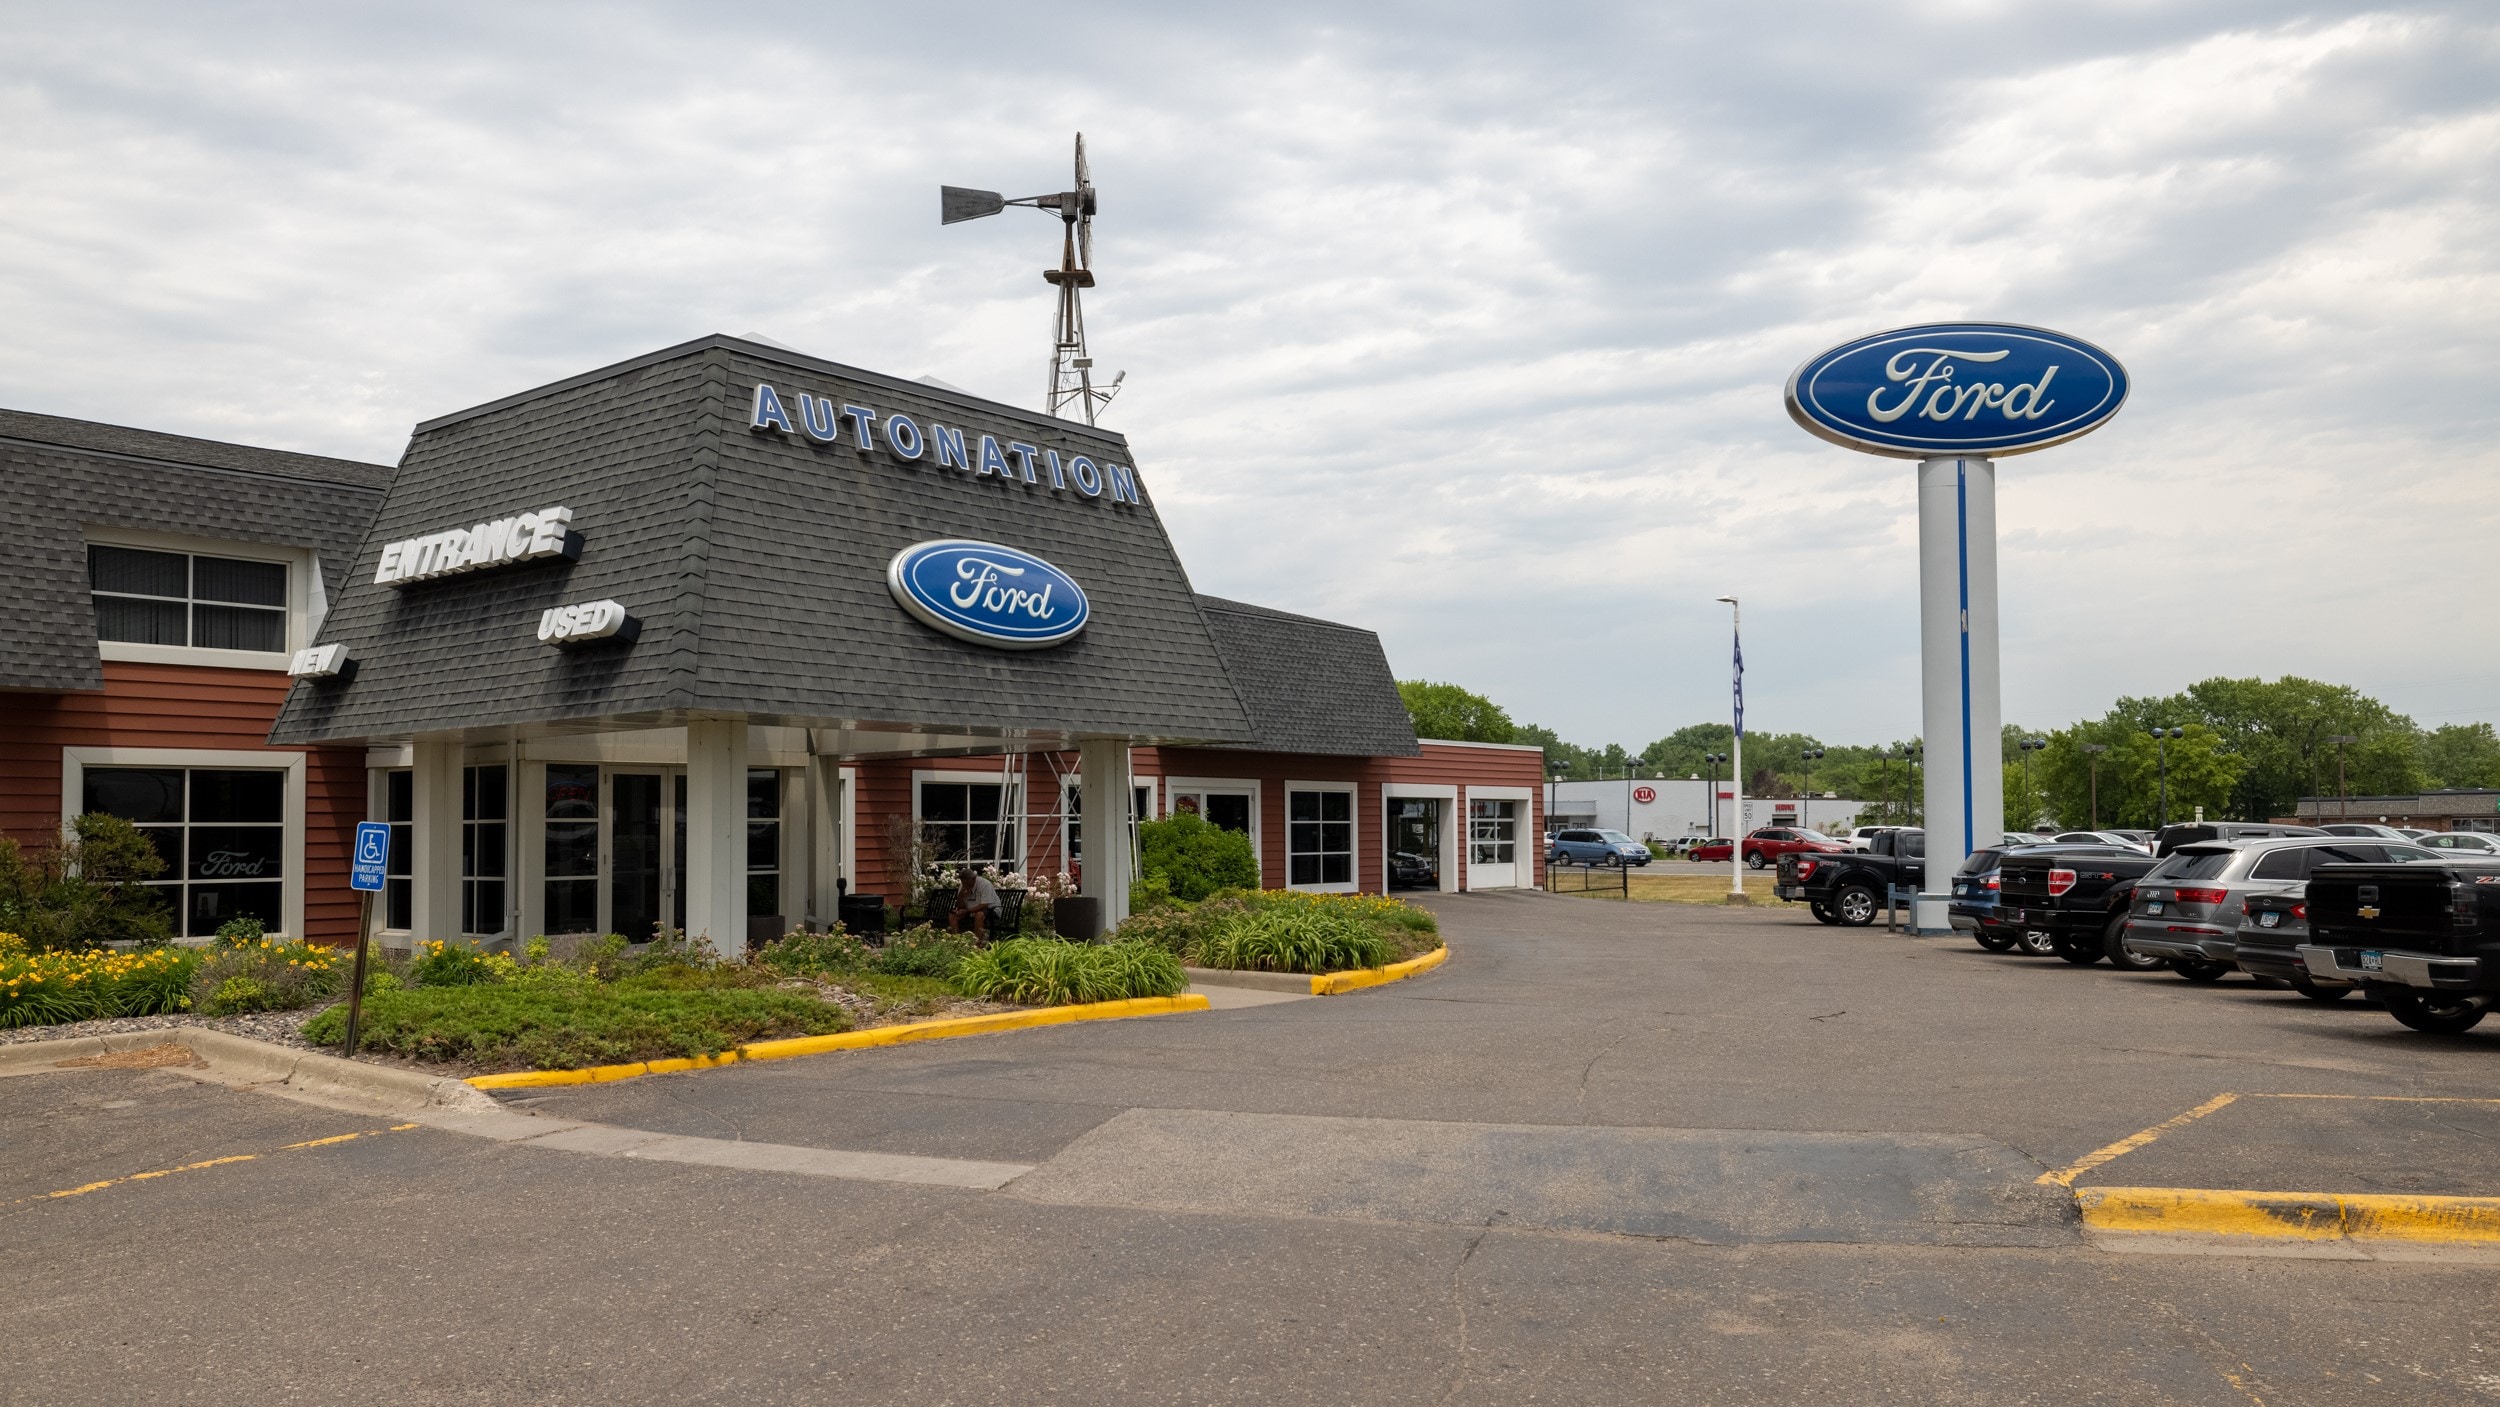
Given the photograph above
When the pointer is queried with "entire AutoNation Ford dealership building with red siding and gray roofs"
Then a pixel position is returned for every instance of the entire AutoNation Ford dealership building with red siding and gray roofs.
(704, 641)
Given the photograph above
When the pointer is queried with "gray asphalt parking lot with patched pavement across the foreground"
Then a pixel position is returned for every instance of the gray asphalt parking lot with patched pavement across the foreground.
(1606, 1153)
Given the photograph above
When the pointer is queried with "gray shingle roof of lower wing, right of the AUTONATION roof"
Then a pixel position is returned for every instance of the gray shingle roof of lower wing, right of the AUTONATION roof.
(1311, 686)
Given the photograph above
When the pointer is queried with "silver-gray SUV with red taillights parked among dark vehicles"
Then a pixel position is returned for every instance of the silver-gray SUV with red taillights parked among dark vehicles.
(2191, 906)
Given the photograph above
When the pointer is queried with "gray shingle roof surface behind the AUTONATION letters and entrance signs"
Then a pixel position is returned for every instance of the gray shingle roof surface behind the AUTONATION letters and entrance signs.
(756, 566)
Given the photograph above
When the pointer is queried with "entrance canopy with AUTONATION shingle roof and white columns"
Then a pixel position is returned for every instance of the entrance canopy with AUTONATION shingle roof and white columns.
(674, 579)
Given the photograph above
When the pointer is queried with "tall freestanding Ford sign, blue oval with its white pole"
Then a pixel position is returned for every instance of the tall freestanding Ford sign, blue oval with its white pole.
(1956, 399)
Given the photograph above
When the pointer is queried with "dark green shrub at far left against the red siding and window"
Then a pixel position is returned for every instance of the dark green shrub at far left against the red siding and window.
(86, 888)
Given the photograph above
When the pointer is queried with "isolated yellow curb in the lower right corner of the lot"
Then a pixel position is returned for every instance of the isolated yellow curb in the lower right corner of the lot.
(2289, 1216)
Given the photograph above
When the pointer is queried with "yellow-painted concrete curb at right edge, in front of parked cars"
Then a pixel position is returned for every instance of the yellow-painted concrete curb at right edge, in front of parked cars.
(2289, 1223)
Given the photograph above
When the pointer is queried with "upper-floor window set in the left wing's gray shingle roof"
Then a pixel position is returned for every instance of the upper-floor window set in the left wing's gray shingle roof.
(186, 599)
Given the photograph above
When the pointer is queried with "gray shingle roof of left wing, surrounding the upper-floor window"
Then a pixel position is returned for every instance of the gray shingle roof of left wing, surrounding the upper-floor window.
(69, 476)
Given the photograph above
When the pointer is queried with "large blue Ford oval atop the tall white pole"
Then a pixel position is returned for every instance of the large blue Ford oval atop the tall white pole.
(1956, 389)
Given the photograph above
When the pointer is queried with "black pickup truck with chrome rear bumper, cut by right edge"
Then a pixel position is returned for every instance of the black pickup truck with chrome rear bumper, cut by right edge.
(2421, 938)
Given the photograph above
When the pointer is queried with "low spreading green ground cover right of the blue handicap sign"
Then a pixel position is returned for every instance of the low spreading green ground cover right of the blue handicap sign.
(549, 1028)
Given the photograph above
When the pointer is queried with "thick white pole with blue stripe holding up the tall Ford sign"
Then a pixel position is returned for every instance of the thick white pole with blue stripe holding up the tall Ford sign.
(1959, 666)
